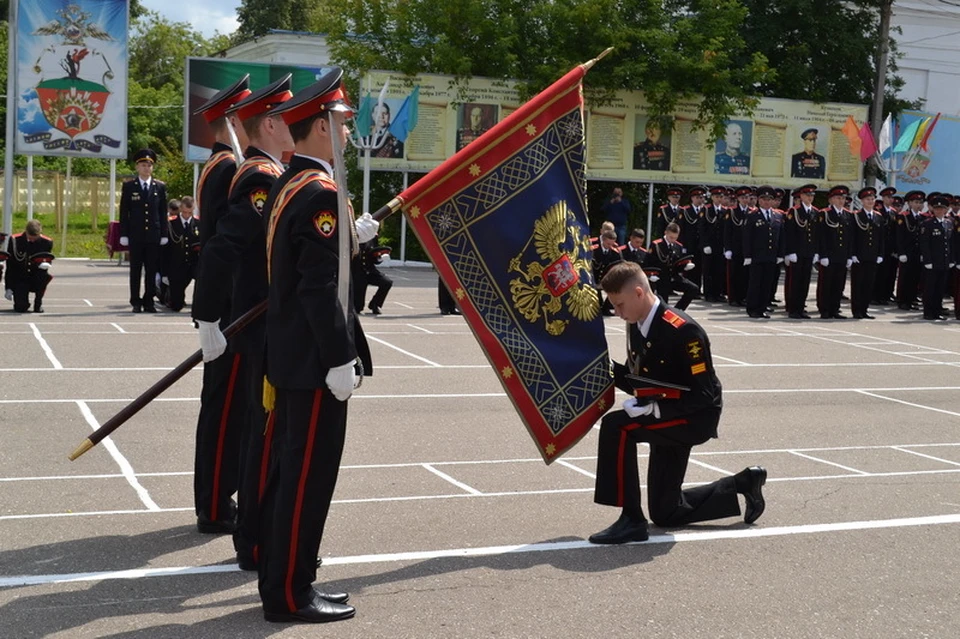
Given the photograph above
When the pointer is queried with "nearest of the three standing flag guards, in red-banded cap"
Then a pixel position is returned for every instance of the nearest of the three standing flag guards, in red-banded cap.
(314, 346)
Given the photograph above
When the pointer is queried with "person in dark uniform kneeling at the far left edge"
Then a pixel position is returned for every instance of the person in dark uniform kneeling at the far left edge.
(28, 268)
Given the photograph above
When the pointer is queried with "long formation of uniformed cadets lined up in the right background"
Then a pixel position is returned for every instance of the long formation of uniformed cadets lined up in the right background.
(742, 241)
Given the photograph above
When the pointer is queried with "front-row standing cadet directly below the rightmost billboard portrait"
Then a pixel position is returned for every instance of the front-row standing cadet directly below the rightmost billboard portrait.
(800, 246)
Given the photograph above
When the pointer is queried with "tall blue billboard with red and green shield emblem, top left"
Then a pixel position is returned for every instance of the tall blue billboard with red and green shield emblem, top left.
(71, 78)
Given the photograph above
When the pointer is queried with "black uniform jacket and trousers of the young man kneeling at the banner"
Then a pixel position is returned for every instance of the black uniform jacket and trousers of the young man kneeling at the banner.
(676, 351)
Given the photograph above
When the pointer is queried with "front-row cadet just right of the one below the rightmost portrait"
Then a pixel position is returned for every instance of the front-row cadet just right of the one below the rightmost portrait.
(836, 248)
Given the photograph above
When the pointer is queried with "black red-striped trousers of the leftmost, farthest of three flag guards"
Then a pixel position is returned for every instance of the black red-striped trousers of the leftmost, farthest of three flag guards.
(219, 431)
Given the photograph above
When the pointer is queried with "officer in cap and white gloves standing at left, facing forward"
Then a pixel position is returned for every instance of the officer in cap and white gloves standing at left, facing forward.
(143, 228)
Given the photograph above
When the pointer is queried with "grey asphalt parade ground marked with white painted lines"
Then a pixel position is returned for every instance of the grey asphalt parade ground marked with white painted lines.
(445, 521)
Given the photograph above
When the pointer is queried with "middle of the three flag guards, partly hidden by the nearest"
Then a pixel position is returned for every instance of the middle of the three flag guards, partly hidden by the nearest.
(235, 258)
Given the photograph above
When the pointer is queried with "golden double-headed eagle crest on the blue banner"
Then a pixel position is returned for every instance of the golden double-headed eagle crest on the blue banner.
(542, 287)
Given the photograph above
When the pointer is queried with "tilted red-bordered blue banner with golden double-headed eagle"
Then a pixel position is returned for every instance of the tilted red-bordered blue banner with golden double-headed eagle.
(504, 222)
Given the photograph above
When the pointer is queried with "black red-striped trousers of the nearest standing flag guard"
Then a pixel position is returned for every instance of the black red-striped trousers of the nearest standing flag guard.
(308, 434)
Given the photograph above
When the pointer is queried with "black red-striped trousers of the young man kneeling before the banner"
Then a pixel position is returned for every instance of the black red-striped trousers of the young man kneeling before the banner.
(618, 481)
